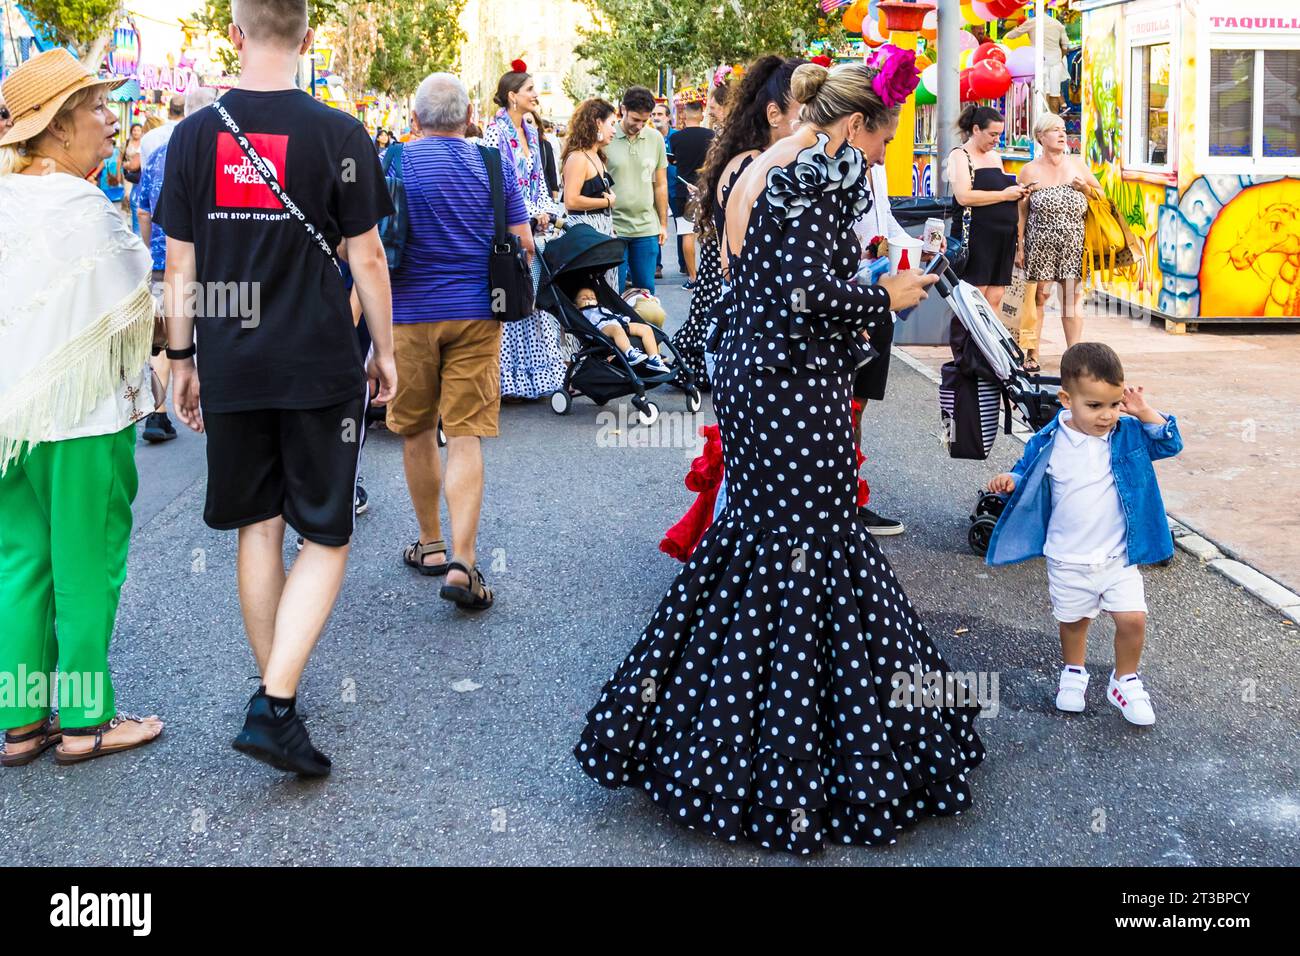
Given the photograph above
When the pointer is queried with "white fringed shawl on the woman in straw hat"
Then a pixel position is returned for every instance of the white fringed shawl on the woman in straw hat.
(76, 314)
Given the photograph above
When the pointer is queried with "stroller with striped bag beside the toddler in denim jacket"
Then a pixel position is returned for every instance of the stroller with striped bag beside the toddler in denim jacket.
(985, 380)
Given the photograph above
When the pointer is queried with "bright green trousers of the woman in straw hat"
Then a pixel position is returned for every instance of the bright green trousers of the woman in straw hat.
(66, 522)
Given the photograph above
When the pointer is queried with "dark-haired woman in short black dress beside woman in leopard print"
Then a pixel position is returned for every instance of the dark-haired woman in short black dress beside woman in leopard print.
(991, 194)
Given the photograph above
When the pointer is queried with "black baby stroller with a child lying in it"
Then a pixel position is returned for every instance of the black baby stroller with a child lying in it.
(579, 258)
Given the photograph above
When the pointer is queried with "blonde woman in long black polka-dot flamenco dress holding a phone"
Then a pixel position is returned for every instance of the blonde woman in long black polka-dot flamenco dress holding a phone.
(774, 694)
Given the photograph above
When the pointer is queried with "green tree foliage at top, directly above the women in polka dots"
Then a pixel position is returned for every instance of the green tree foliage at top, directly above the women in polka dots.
(634, 40)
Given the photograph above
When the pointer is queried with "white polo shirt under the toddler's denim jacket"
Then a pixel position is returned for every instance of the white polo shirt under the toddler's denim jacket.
(1087, 524)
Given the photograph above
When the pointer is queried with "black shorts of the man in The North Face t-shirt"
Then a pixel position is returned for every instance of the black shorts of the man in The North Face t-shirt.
(298, 464)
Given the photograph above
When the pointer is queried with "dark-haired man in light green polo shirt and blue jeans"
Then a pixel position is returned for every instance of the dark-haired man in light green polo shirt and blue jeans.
(639, 163)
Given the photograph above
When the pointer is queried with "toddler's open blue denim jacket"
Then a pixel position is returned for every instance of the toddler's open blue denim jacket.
(1022, 529)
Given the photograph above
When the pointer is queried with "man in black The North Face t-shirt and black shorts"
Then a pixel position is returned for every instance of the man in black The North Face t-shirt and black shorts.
(284, 382)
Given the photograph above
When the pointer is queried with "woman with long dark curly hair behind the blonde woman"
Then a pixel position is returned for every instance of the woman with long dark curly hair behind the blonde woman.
(762, 113)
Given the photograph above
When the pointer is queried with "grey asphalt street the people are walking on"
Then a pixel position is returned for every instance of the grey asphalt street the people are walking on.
(452, 736)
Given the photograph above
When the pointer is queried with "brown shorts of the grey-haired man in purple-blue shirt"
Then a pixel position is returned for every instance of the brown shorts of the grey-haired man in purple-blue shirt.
(449, 370)
